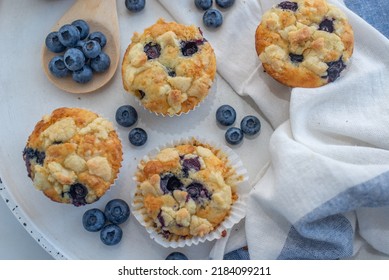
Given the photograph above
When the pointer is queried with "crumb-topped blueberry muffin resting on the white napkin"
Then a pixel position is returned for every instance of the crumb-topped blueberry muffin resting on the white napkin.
(304, 43)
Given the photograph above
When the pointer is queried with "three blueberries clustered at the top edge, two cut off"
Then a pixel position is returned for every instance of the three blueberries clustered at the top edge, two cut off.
(212, 17)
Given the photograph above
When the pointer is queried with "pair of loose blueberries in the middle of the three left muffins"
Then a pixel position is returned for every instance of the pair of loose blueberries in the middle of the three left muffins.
(127, 116)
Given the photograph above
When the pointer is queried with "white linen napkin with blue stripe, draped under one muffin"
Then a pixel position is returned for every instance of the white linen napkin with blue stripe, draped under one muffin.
(329, 177)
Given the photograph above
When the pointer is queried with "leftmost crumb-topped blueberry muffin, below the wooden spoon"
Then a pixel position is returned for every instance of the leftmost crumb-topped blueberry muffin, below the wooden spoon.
(73, 156)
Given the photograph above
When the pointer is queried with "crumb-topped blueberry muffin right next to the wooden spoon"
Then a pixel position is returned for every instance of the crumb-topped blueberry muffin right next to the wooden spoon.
(169, 68)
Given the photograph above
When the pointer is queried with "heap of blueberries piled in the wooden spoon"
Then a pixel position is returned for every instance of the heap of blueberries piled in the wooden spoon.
(80, 53)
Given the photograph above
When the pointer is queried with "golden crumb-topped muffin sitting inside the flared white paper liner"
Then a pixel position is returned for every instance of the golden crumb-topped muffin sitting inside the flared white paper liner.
(186, 190)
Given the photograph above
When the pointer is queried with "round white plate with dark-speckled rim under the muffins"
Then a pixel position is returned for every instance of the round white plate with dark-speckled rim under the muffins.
(26, 95)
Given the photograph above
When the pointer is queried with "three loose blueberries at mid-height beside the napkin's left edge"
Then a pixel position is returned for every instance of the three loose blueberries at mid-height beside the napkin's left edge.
(249, 125)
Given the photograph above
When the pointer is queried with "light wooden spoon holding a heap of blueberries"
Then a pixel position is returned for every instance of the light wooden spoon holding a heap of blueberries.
(101, 15)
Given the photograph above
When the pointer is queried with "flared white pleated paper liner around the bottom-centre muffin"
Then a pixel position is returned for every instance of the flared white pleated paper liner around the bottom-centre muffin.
(238, 208)
